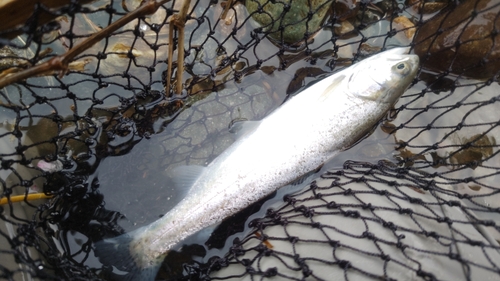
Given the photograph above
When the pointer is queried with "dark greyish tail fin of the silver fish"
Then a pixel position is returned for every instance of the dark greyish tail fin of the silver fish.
(116, 252)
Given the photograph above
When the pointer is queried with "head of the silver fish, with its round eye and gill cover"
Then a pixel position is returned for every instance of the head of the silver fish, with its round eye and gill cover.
(383, 77)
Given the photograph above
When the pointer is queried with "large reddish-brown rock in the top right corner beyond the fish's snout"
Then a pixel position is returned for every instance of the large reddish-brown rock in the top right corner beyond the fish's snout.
(462, 39)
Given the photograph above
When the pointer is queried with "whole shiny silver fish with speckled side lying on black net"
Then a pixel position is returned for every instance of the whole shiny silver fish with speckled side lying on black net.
(294, 140)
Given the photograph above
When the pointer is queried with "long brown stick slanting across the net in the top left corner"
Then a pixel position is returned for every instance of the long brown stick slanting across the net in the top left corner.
(60, 63)
